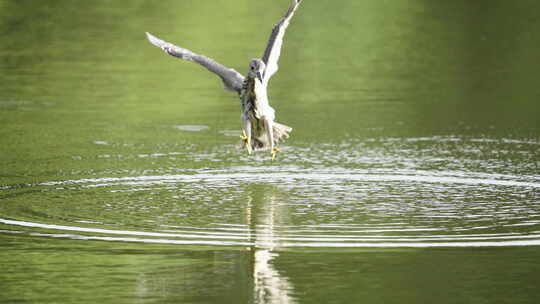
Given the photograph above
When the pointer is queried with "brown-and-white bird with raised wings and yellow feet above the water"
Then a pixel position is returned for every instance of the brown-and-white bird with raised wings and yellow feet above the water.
(260, 131)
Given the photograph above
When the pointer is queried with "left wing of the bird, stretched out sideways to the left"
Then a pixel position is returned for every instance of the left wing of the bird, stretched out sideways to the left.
(231, 78)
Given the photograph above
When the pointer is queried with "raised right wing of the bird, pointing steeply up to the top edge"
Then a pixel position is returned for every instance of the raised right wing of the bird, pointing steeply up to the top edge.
(273, 48)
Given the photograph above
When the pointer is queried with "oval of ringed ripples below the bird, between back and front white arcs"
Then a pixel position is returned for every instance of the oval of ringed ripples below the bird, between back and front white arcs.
(421, 209)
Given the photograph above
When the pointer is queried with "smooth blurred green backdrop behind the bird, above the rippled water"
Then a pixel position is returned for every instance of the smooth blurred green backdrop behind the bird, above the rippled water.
(76, 72)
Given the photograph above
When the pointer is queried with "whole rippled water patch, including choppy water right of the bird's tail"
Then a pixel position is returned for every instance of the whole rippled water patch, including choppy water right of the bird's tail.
(383, 198)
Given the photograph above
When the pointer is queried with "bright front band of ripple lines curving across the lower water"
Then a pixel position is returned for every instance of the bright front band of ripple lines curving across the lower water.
(298, 240)
